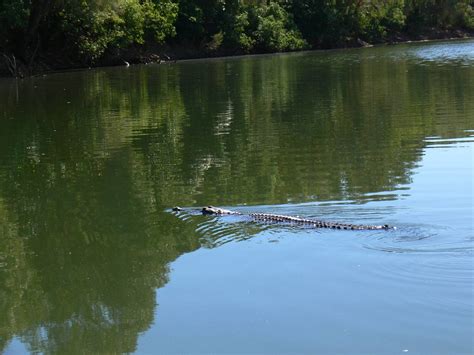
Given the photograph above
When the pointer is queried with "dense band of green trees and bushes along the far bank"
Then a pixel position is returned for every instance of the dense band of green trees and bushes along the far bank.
(64, 33)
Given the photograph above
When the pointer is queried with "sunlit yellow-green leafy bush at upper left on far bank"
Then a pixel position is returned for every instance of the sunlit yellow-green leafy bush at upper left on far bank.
(95, 26)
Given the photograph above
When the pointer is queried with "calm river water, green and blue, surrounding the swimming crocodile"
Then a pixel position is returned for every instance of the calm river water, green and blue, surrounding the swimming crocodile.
(92, 261)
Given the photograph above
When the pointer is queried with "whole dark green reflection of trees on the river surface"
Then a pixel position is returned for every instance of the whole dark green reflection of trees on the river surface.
(84, 242)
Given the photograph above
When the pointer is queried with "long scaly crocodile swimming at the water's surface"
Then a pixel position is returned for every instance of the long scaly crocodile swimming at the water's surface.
(268, 217)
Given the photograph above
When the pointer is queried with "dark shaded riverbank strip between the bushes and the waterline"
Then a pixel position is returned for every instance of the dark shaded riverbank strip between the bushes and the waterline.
(51, 62)
